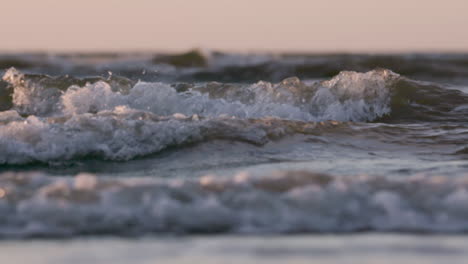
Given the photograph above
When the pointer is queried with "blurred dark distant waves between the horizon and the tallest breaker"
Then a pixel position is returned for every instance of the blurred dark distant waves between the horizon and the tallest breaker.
(229, 67)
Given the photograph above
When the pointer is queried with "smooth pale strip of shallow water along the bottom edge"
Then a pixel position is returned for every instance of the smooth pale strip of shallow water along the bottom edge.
(367, 248)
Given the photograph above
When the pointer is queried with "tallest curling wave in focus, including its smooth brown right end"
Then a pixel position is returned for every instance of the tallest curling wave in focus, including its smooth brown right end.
(379, 95)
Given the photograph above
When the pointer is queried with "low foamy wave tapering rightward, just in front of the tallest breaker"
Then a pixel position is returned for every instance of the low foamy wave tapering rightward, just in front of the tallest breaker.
(124, 134)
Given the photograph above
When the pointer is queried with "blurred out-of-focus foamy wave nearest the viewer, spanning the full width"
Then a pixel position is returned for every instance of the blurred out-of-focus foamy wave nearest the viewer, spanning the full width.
(284, 202)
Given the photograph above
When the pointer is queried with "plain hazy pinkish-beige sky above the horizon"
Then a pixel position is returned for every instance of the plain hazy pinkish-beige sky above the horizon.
(240, 25)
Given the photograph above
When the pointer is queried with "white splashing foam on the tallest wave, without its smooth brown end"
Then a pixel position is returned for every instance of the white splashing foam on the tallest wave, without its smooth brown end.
(349, 96)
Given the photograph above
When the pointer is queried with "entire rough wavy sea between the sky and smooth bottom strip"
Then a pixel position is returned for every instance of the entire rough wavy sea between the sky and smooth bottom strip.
(206, 142)
